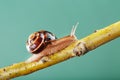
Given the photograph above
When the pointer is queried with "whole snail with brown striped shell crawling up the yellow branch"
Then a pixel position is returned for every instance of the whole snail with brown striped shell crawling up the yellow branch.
(43, 43)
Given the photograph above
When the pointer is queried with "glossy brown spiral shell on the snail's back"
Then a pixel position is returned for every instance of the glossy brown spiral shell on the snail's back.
(37, 41)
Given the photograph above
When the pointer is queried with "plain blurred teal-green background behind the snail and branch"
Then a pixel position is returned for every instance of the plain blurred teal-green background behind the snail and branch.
(19, 18)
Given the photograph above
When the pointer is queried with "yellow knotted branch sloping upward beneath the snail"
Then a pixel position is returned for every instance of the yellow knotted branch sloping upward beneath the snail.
(79, 47)
